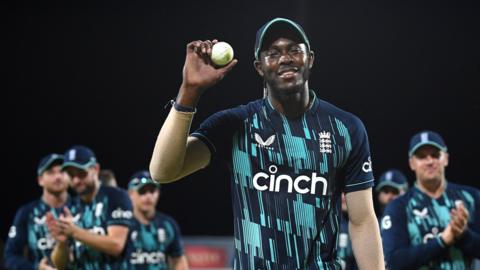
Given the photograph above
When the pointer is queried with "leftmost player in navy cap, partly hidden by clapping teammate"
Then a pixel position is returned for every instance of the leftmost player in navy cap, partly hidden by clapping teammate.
(29, 228)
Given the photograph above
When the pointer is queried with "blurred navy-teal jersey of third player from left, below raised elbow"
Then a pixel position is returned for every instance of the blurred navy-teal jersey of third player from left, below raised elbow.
(150, 245)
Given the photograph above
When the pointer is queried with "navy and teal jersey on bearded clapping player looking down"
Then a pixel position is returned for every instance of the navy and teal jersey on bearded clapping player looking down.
(111, 206)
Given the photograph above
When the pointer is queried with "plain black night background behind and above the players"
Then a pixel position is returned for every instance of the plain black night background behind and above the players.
(99, 74)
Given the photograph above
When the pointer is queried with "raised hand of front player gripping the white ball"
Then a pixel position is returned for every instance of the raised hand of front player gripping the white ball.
(199, 73)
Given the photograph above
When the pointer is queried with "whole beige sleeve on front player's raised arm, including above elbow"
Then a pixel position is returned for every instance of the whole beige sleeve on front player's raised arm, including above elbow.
(176, 154)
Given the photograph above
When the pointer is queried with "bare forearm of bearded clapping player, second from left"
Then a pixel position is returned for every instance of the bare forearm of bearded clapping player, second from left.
(103, 243)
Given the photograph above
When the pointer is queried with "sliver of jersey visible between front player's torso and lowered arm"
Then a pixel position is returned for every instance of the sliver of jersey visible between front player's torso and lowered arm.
(345, 250)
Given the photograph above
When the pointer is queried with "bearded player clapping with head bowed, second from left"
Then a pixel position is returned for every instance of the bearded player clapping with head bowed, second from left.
(92, 235)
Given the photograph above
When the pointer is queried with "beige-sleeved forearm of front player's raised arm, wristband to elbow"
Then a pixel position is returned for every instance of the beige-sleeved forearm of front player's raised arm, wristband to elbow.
(170, 148)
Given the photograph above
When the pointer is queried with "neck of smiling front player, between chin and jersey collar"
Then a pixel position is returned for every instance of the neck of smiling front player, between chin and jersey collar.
(291, 104)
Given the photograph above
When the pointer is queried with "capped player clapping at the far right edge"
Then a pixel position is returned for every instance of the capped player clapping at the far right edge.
(436, 224)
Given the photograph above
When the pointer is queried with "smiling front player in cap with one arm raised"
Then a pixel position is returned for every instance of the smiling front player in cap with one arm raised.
(291, 155)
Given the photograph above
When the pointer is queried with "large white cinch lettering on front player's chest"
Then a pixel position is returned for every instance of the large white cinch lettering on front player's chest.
(275, 181)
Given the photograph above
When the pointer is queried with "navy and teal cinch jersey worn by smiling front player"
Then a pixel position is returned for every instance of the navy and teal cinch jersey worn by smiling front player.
(287, 177)
